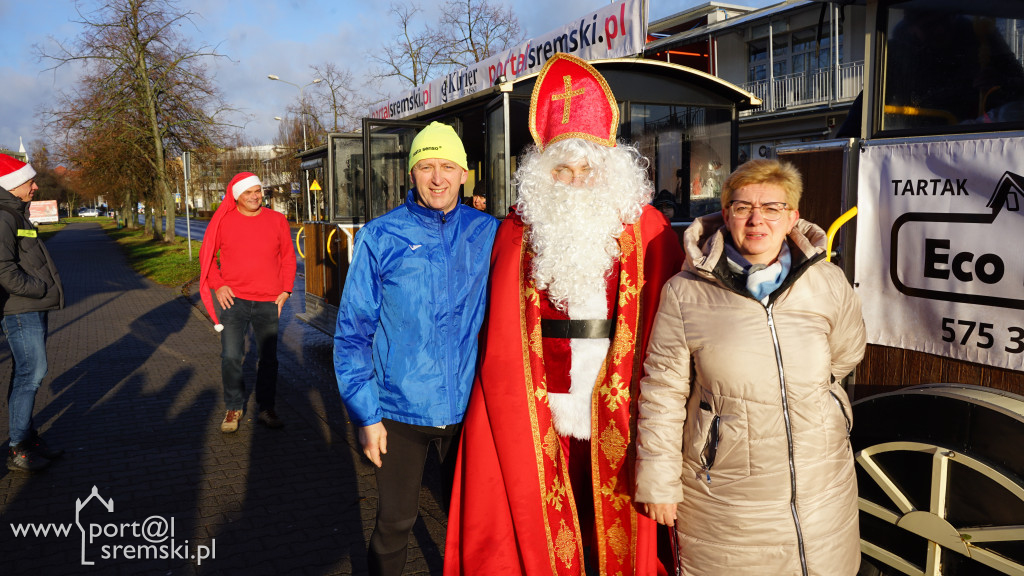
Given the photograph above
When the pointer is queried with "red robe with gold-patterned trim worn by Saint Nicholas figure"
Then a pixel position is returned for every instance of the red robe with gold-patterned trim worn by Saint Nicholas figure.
(513, 506)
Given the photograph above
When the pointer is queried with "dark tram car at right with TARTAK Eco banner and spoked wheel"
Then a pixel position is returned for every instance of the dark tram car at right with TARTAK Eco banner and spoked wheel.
(932, 166)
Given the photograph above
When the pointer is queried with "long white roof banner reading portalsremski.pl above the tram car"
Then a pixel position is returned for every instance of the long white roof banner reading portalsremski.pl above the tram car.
(616, 31)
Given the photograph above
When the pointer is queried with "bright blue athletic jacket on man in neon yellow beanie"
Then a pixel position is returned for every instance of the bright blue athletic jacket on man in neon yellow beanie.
(405, 348)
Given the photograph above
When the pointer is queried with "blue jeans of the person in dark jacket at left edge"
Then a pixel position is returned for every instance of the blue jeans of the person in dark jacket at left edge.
(27, 338)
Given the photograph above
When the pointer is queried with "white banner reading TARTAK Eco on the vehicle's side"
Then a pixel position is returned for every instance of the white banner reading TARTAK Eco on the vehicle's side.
(941, 249)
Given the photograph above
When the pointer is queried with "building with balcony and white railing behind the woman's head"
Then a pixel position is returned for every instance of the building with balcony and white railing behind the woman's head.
(804, 60)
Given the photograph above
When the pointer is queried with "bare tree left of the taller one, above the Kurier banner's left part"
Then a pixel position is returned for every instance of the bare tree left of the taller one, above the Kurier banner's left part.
(413, 54)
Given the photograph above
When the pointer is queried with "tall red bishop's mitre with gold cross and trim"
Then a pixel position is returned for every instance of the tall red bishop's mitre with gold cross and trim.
(572, 100)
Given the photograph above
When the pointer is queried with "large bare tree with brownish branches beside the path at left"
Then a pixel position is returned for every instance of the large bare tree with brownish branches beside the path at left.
(146, 80)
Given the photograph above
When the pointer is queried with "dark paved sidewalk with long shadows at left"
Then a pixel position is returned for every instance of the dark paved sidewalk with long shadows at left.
(134, 394)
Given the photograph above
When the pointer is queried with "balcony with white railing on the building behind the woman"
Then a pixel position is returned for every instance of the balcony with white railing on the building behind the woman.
(796, 91)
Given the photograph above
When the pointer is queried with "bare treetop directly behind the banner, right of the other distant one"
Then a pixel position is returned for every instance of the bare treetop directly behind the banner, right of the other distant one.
(476, 30)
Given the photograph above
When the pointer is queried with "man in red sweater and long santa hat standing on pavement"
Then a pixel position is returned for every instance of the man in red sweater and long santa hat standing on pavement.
(255, 276)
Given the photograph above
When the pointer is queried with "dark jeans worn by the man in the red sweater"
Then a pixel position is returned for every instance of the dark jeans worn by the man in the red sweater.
(264, 318)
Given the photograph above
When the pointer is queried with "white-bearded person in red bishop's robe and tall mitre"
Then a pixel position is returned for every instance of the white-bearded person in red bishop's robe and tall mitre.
(544, 480)
